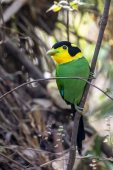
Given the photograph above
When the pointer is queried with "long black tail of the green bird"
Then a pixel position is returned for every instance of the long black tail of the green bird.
(81, 132)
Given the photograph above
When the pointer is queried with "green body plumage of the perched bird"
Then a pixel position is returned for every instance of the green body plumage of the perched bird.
(72, 88)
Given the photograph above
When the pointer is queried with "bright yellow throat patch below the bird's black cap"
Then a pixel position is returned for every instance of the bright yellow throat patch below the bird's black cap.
(61, 58)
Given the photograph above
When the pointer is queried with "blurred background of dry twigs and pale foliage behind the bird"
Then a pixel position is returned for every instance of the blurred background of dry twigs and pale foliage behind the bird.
(35, 123)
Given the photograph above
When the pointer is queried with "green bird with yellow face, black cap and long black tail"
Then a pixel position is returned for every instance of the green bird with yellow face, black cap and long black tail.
(71, 63)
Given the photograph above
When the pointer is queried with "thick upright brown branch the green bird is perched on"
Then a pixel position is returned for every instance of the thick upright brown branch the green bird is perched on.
(72, 154)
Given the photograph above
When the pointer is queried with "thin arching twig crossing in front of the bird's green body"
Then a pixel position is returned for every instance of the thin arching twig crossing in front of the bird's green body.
(53, 78)
